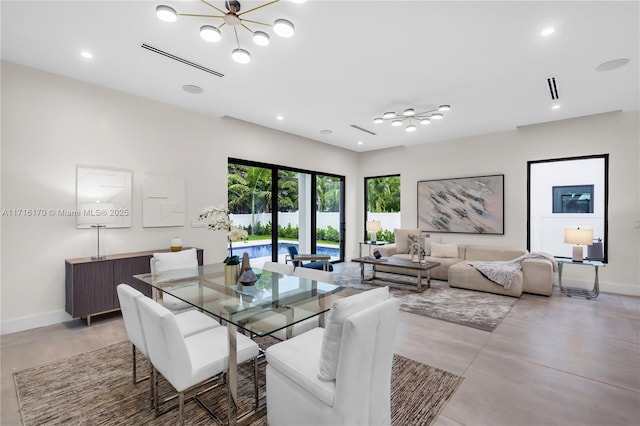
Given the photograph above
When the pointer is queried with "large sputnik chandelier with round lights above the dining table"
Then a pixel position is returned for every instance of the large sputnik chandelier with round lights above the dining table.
(234, 19)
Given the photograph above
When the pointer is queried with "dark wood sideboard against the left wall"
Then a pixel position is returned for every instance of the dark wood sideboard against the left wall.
(90, 285)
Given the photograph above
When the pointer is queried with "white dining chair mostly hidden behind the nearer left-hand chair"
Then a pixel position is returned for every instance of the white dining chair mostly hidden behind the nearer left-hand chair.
(189, 323)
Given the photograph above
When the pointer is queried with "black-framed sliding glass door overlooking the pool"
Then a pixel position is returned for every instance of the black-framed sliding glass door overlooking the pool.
(282, 207)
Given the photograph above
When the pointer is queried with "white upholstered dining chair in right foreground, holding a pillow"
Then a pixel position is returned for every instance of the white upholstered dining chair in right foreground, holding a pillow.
(340, 375)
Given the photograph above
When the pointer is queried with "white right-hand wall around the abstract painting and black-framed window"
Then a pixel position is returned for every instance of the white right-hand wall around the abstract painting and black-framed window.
(507, 153)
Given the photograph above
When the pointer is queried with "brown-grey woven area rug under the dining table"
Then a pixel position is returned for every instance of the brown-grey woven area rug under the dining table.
(96, 388)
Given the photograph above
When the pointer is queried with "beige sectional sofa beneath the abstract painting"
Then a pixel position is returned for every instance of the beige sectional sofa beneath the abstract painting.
(536, 275)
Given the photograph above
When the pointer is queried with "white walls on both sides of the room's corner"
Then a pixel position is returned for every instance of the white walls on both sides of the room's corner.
(50, 124)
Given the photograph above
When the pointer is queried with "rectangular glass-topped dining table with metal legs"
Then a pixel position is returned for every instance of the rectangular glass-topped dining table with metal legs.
(274, 302)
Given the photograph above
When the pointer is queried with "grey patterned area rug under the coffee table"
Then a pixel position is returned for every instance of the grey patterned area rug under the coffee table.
(470, 308)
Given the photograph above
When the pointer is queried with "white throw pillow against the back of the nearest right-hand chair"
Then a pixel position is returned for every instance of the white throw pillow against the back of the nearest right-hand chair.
(340, 310)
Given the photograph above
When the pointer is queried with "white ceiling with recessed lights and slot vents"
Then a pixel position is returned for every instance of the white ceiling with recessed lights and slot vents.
(349, 61)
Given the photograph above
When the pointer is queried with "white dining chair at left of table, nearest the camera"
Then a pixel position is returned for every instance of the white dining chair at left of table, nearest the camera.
(188, 361)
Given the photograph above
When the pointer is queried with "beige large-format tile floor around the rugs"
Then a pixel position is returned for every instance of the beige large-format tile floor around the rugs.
(552, 361)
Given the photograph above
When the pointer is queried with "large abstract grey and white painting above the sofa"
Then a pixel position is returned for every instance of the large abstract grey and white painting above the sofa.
(472, 205)
